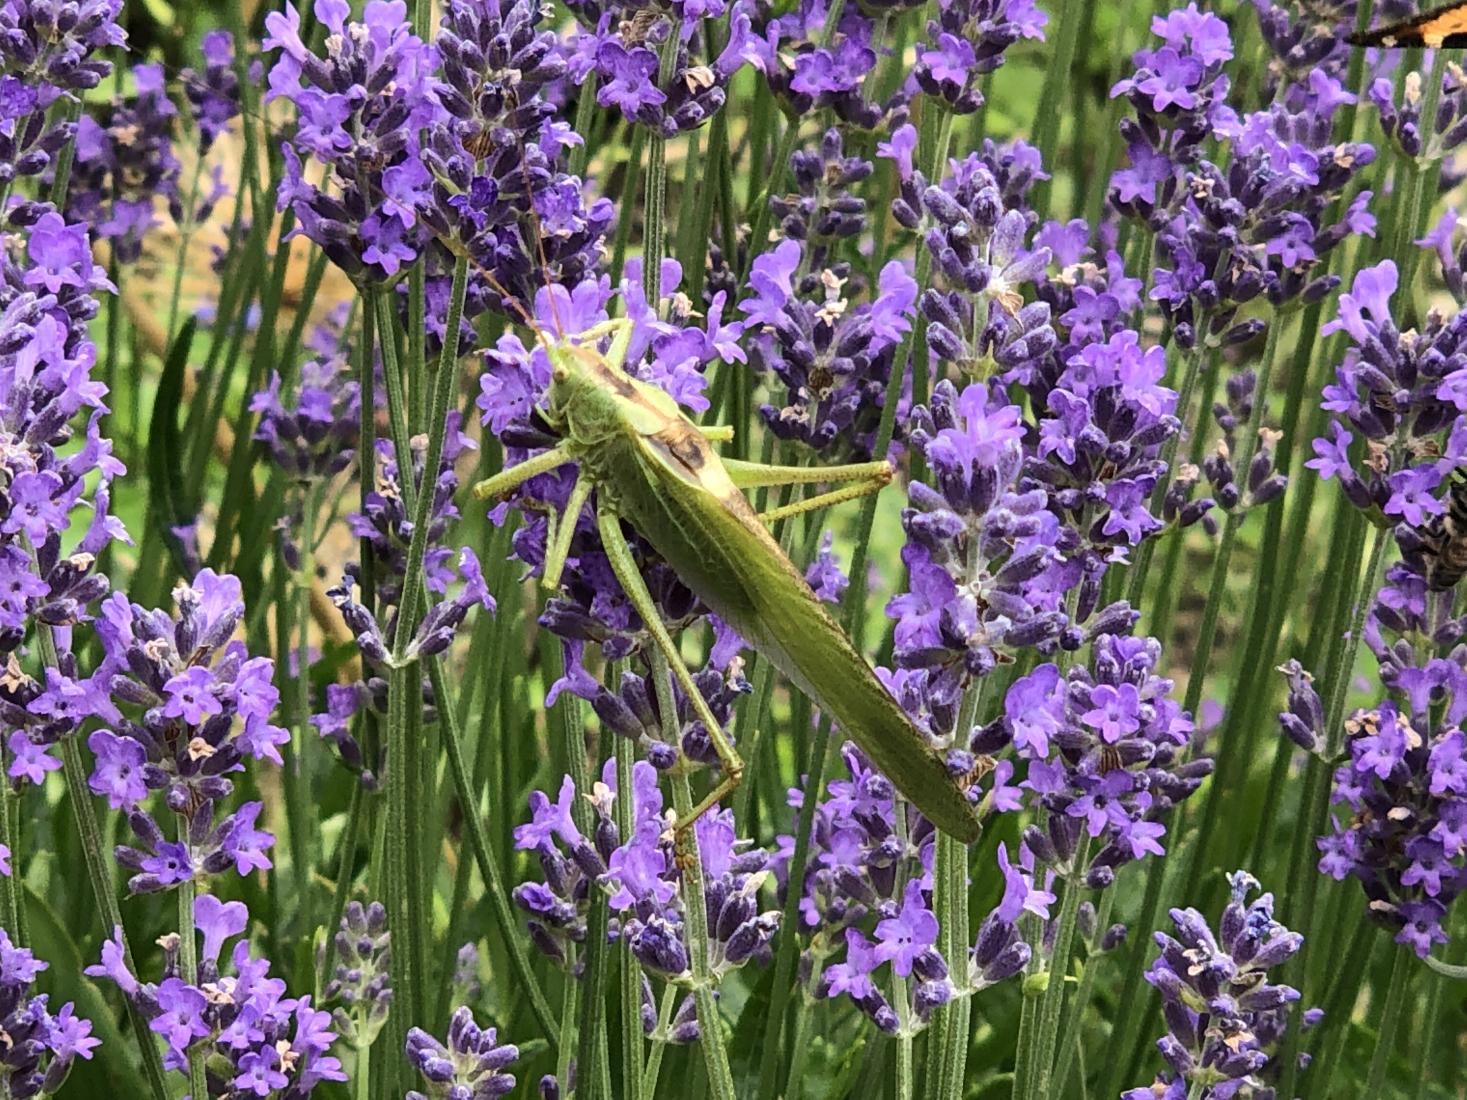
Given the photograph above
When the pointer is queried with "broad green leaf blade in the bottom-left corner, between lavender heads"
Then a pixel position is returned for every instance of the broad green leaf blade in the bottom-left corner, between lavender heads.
(115, 1070)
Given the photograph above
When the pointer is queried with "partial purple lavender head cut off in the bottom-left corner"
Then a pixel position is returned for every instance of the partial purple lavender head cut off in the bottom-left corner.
(40, 1046)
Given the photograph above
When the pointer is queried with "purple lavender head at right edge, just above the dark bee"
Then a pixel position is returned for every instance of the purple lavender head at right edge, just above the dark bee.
(1405, 394)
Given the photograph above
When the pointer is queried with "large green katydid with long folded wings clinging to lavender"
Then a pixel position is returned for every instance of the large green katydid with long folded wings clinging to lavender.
(649, 463)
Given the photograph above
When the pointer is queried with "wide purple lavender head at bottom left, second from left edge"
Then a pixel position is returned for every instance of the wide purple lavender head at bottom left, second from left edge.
(256, 1038)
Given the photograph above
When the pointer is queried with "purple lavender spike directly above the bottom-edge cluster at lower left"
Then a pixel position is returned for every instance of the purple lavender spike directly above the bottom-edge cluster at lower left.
(186, 705)
